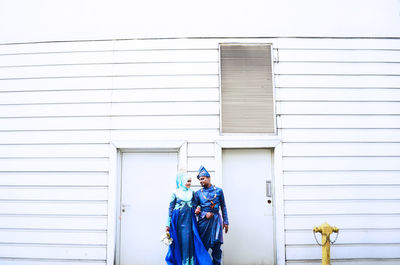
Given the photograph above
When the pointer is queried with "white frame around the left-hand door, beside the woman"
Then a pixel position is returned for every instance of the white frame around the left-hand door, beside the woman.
(114, 184)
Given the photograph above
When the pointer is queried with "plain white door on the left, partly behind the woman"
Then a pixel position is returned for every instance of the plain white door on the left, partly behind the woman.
(146, 185)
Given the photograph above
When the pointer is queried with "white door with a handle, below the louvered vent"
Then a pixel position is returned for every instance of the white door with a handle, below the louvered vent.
(247, 176)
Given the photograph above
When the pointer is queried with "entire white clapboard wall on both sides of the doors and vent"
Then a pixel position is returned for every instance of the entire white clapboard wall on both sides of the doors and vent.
(61, 103)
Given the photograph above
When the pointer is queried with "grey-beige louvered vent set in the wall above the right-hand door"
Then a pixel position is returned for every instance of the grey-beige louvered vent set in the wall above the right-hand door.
(246, 88)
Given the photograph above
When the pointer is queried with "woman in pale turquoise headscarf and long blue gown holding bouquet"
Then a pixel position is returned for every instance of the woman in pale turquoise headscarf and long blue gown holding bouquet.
(187, 247)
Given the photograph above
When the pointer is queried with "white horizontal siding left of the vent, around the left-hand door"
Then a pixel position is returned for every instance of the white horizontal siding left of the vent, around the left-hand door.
(60, 106)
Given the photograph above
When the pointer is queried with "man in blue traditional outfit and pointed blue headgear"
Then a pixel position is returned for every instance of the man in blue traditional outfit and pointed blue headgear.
(209, 200)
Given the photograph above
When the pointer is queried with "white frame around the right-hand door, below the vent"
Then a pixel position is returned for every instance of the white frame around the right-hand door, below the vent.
(277, 177)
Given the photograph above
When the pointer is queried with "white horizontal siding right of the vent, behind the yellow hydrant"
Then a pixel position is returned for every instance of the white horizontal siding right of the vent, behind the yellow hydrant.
(338, 112)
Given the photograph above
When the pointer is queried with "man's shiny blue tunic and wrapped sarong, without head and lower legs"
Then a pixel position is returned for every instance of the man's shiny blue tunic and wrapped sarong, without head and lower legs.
(211, 229)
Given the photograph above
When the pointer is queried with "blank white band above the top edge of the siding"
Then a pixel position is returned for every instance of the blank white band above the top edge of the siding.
(47, 20)
